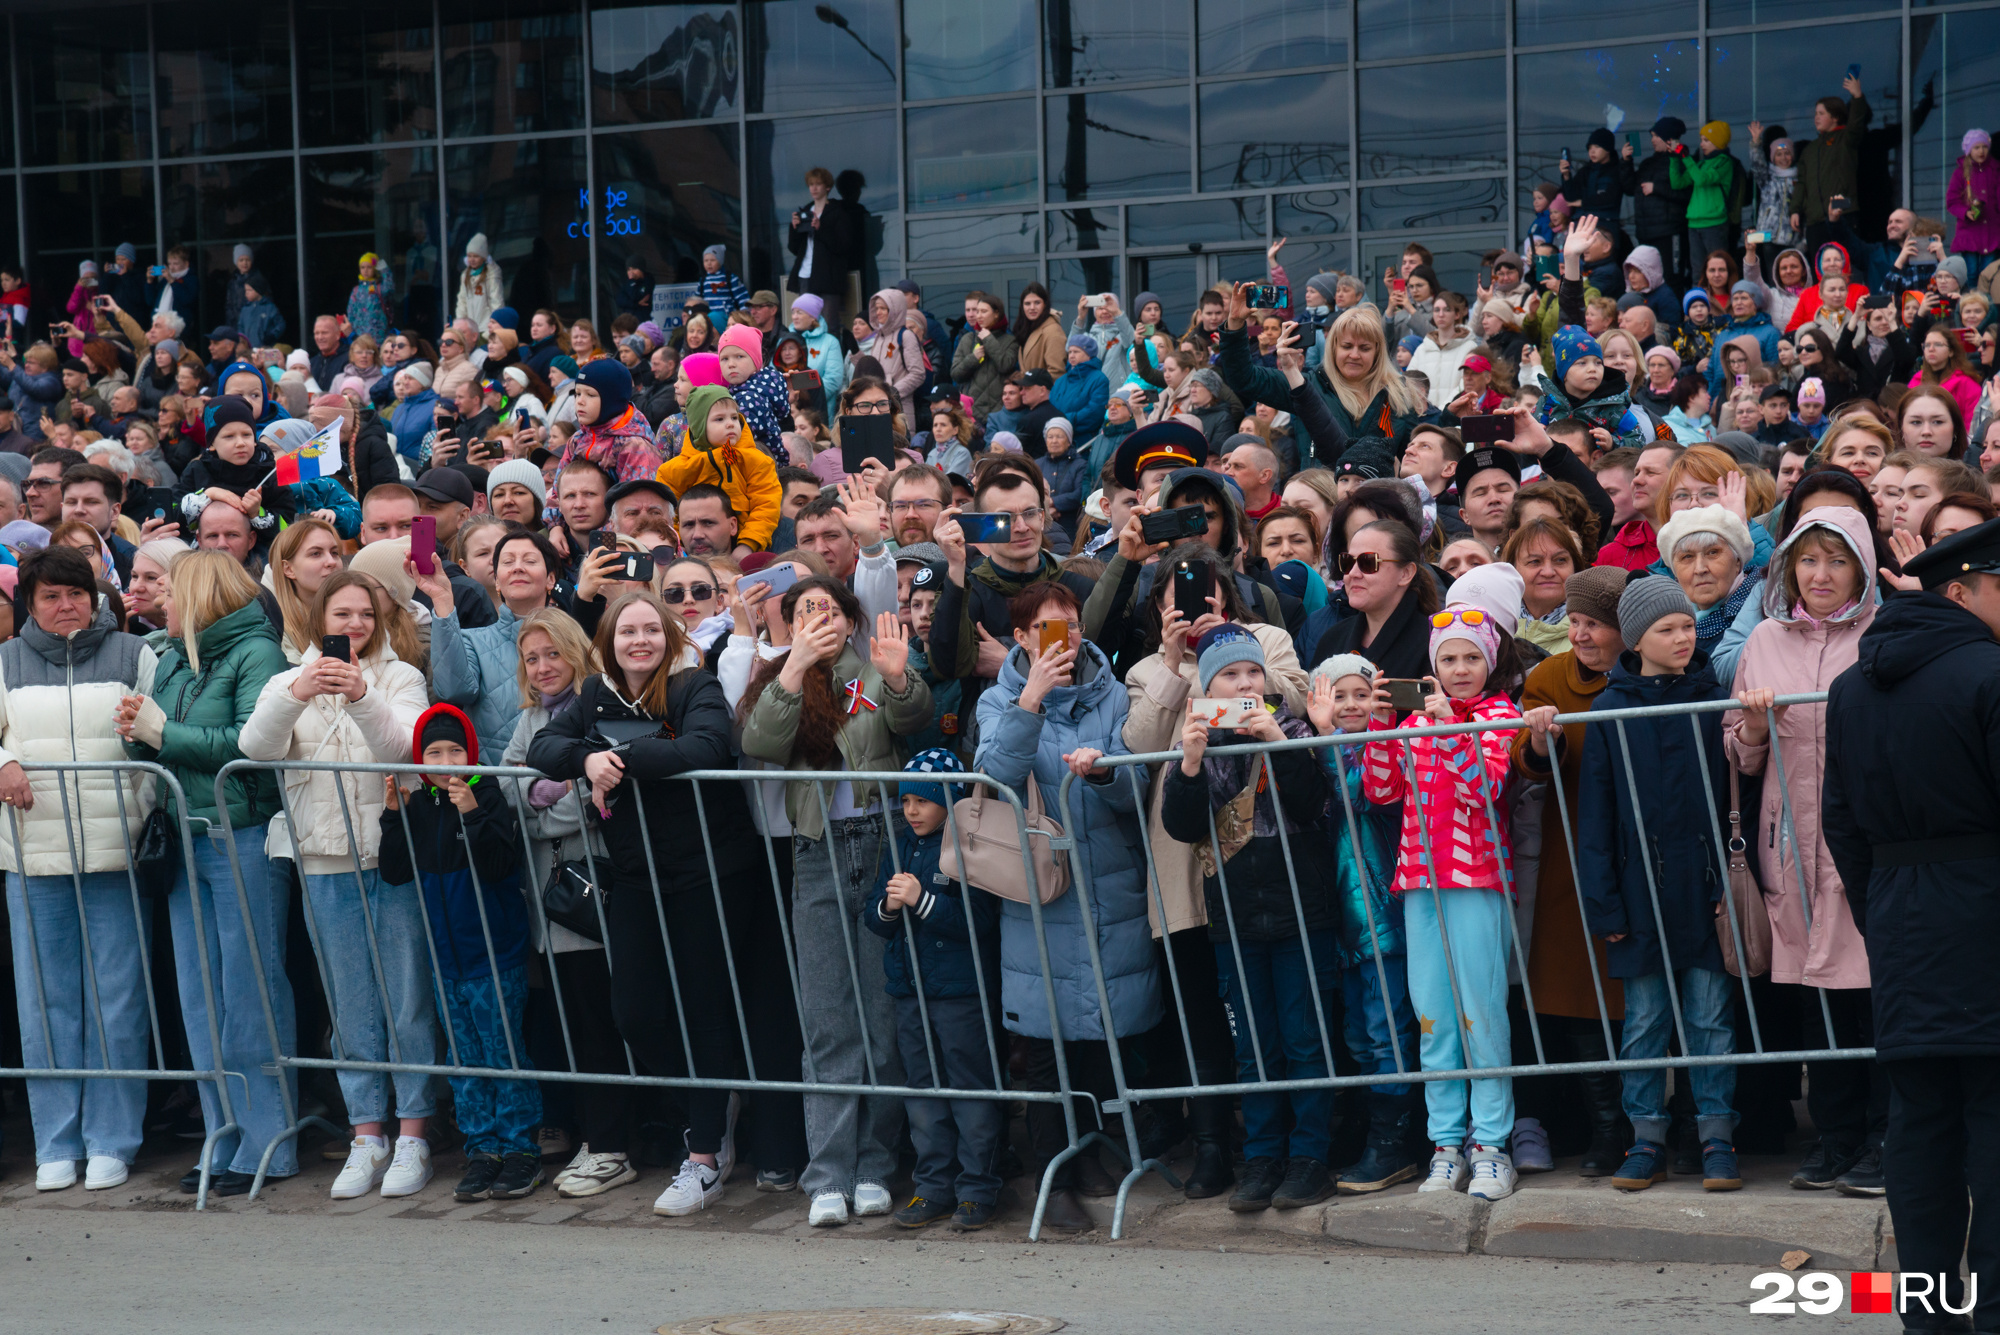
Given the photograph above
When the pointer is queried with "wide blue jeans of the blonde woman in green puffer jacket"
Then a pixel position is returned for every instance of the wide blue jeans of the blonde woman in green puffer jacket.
(257, 1098)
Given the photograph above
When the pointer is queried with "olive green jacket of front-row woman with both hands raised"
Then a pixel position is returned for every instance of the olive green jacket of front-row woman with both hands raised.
(867, 738)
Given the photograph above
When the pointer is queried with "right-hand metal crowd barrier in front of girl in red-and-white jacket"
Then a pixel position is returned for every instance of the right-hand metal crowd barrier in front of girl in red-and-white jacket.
(1137, 772)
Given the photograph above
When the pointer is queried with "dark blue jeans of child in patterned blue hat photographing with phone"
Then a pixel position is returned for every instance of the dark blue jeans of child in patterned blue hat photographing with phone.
(1275, 998)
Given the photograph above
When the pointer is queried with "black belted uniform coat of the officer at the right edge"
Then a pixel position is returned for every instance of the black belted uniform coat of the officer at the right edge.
(1913, 752)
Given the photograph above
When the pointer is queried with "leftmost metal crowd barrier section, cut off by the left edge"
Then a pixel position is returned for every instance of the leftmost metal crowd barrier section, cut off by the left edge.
(71, 798)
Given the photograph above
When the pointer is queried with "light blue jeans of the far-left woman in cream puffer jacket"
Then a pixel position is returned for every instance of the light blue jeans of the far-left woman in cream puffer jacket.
(103, 1116)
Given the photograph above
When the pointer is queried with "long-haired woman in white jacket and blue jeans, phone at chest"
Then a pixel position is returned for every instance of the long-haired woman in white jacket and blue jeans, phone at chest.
(359, 708)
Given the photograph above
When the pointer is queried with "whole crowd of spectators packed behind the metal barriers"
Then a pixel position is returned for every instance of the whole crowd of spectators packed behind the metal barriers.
(1617, 475)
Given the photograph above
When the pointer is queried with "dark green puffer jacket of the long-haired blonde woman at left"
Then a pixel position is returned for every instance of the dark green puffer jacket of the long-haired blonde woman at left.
(207, 710)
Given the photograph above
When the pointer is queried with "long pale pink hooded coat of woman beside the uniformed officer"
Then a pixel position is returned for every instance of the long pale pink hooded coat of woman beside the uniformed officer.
(1793, 655)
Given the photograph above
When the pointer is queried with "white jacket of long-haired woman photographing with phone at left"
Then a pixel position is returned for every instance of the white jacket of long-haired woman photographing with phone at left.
(369, 730)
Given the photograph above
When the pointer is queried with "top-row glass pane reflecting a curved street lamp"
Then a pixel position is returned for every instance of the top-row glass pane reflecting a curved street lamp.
(807, 55)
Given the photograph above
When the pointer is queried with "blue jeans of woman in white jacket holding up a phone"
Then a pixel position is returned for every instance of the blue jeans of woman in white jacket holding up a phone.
(409, 1032)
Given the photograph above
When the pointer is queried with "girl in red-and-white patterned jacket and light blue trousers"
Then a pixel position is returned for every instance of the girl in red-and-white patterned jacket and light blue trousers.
(1455, 918)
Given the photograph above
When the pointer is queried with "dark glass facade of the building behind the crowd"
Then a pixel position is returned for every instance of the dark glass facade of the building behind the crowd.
(1093, 145)
